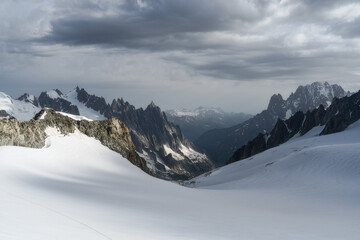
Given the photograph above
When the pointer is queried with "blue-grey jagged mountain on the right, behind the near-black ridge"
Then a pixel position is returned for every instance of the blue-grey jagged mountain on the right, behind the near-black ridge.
(220, 144)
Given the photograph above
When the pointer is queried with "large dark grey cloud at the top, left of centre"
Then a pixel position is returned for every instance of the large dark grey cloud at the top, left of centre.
(152, 24)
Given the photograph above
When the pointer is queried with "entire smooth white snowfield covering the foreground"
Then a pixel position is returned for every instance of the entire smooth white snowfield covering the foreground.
(75, 188)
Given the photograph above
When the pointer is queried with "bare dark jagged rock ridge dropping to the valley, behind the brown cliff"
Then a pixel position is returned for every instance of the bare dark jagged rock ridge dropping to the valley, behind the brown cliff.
(150, 132)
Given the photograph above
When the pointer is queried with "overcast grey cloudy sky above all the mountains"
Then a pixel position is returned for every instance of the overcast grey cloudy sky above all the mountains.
(232, 54)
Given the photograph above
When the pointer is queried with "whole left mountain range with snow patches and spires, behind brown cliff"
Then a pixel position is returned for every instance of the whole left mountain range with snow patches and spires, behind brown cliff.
(168, 153)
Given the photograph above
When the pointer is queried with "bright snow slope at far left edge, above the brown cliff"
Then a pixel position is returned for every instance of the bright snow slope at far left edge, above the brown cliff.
(22, 110)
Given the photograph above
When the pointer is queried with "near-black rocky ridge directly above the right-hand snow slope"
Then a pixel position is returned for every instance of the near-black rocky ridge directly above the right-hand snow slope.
(336, 118)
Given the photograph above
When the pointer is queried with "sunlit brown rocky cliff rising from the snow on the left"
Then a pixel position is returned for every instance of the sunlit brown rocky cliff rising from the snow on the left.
(112, 133)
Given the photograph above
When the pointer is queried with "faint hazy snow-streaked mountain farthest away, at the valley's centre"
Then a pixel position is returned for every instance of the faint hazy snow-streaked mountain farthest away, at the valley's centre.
(194, 123)
